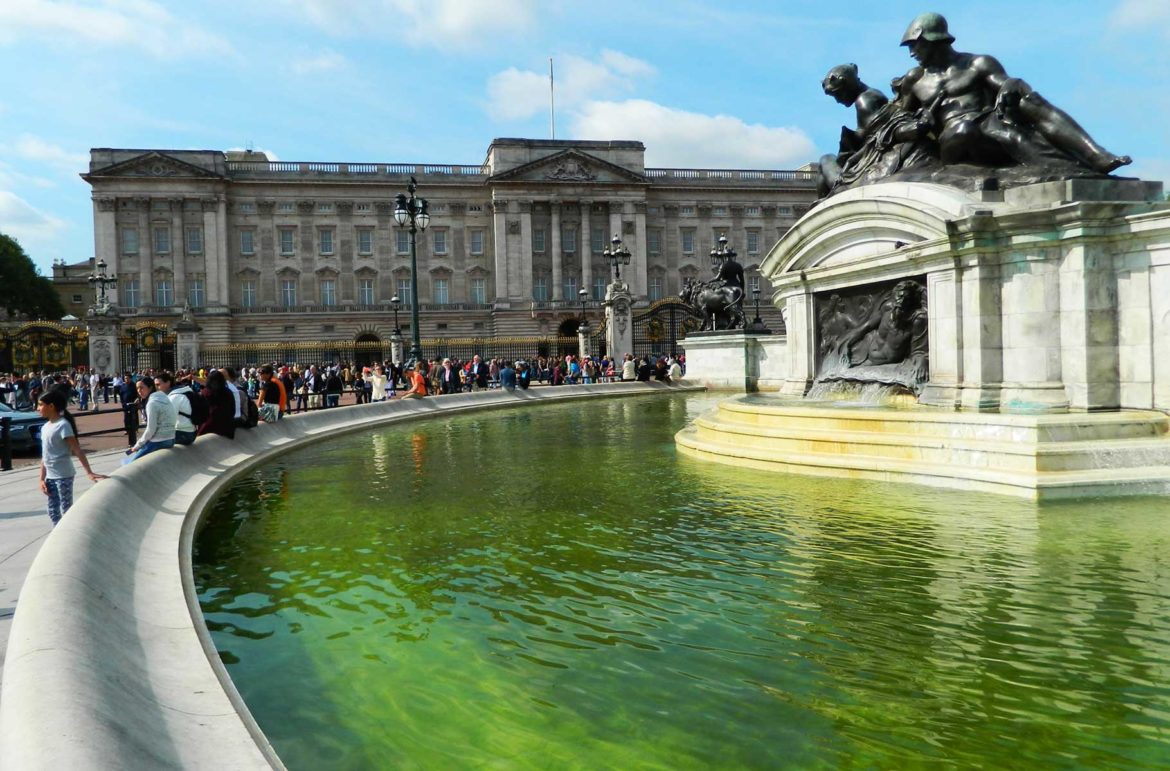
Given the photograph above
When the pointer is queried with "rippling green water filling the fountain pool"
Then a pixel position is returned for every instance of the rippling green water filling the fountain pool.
(555, 588)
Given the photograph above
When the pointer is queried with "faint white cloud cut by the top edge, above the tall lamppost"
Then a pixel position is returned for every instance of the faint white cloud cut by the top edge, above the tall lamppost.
(442, 24)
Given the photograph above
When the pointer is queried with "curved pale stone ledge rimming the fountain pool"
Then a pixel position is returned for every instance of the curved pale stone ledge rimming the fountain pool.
(109, 665)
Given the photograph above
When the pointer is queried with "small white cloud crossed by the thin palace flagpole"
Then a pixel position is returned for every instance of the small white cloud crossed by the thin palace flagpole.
(521, 94)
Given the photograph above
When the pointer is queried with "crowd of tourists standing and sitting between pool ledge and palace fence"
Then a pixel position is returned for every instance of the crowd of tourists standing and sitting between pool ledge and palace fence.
(162, 409)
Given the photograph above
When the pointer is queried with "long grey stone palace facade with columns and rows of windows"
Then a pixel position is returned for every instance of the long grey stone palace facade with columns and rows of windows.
(278, 251)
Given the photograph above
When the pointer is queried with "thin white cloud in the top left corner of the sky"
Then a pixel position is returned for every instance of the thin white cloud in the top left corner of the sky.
(140, 25)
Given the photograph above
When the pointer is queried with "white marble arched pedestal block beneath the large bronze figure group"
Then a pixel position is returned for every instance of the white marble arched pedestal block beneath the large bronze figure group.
(1036, 304)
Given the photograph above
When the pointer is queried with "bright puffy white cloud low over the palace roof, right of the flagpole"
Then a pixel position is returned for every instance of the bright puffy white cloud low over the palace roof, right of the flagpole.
(680, 139)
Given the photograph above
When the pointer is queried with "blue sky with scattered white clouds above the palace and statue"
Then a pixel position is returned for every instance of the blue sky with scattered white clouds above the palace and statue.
(703, 84)
